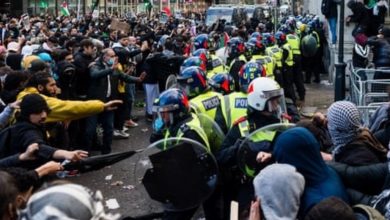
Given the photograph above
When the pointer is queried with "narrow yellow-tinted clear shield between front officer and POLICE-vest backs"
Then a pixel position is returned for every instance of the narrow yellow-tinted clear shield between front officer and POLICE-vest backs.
(214, 133)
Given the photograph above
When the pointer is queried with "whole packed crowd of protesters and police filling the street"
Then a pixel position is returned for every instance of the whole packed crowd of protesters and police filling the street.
(68, 88)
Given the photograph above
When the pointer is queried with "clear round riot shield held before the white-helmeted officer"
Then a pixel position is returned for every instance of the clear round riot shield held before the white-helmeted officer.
(261, 139)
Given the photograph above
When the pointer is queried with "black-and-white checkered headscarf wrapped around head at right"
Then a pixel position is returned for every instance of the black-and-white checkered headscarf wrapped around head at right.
(343, 123)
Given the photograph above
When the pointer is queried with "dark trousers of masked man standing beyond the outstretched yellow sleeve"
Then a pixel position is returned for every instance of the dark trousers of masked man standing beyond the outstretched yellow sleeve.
(106, 119)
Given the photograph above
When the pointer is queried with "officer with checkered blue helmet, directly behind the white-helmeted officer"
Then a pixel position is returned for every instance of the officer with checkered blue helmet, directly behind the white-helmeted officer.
(236, 102)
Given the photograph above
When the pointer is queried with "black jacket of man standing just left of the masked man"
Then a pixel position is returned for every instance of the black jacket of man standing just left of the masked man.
(82, 78)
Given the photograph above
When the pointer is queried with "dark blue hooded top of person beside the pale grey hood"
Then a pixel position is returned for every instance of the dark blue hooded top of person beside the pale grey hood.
(299, 148)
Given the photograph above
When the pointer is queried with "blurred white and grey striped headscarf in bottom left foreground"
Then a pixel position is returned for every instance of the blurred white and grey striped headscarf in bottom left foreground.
(66, 202)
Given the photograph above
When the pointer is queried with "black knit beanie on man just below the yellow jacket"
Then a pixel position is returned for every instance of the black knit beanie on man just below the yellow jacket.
(33, 104)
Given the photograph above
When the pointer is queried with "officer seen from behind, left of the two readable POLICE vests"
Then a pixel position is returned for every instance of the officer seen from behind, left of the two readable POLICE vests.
(193, 81)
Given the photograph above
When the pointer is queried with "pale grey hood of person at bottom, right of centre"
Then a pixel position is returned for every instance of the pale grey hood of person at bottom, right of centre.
(279, 187)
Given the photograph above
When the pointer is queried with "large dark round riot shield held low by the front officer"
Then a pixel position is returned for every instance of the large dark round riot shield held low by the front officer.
(178, 172)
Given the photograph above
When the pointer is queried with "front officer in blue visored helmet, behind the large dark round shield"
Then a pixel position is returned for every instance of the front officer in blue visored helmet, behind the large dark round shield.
(174, 119)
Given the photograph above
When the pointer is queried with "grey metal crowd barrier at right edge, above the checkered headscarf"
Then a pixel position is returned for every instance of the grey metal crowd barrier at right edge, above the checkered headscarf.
(369, 89)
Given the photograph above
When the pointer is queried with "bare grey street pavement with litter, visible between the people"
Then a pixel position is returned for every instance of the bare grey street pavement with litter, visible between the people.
(125, 186)
